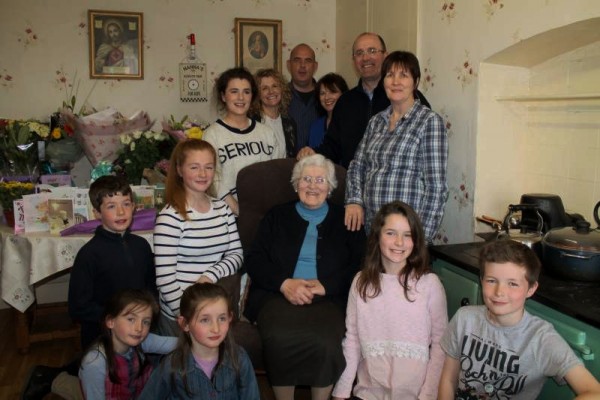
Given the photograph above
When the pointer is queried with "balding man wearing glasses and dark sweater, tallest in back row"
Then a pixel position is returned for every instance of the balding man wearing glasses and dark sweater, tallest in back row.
(354, 109)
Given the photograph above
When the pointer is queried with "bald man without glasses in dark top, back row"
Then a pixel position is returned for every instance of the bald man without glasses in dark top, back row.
(302, 66)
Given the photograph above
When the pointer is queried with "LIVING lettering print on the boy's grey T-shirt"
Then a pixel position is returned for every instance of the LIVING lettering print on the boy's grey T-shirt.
(483, 361)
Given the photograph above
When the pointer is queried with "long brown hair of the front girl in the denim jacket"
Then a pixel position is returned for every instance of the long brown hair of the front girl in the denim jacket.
(194, 296)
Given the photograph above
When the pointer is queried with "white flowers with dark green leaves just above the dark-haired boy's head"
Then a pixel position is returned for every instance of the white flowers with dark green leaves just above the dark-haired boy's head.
(142, 150)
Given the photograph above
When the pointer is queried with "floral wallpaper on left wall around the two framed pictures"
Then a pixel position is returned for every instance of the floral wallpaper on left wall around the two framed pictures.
(48, 60)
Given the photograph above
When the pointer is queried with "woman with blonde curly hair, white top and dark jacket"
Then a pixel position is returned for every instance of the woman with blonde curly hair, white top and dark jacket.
(271, 108)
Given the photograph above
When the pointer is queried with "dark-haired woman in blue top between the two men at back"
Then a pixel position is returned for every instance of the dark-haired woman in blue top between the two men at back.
(329, 89)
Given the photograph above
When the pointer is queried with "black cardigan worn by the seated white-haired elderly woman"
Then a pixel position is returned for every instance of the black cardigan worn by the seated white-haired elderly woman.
(274, 254)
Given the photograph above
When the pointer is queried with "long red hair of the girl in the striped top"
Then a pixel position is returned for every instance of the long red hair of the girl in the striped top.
(175, 191)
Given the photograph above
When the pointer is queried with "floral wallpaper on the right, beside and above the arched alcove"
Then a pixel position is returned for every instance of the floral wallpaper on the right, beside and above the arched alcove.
(455, 37)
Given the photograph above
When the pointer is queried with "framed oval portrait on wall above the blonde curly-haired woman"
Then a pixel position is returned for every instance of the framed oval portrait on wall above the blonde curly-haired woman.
(258, 43)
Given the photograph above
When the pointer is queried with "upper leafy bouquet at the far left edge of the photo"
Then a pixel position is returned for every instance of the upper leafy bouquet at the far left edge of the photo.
(18, 145)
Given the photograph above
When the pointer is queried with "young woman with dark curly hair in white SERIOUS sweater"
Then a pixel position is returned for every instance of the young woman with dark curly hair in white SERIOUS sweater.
(239, 140)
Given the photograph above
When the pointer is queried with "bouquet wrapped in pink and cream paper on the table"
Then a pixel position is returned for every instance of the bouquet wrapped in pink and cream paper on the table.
(98, 133)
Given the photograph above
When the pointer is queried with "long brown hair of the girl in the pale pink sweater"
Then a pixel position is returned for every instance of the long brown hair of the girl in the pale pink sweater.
(369, 281)
